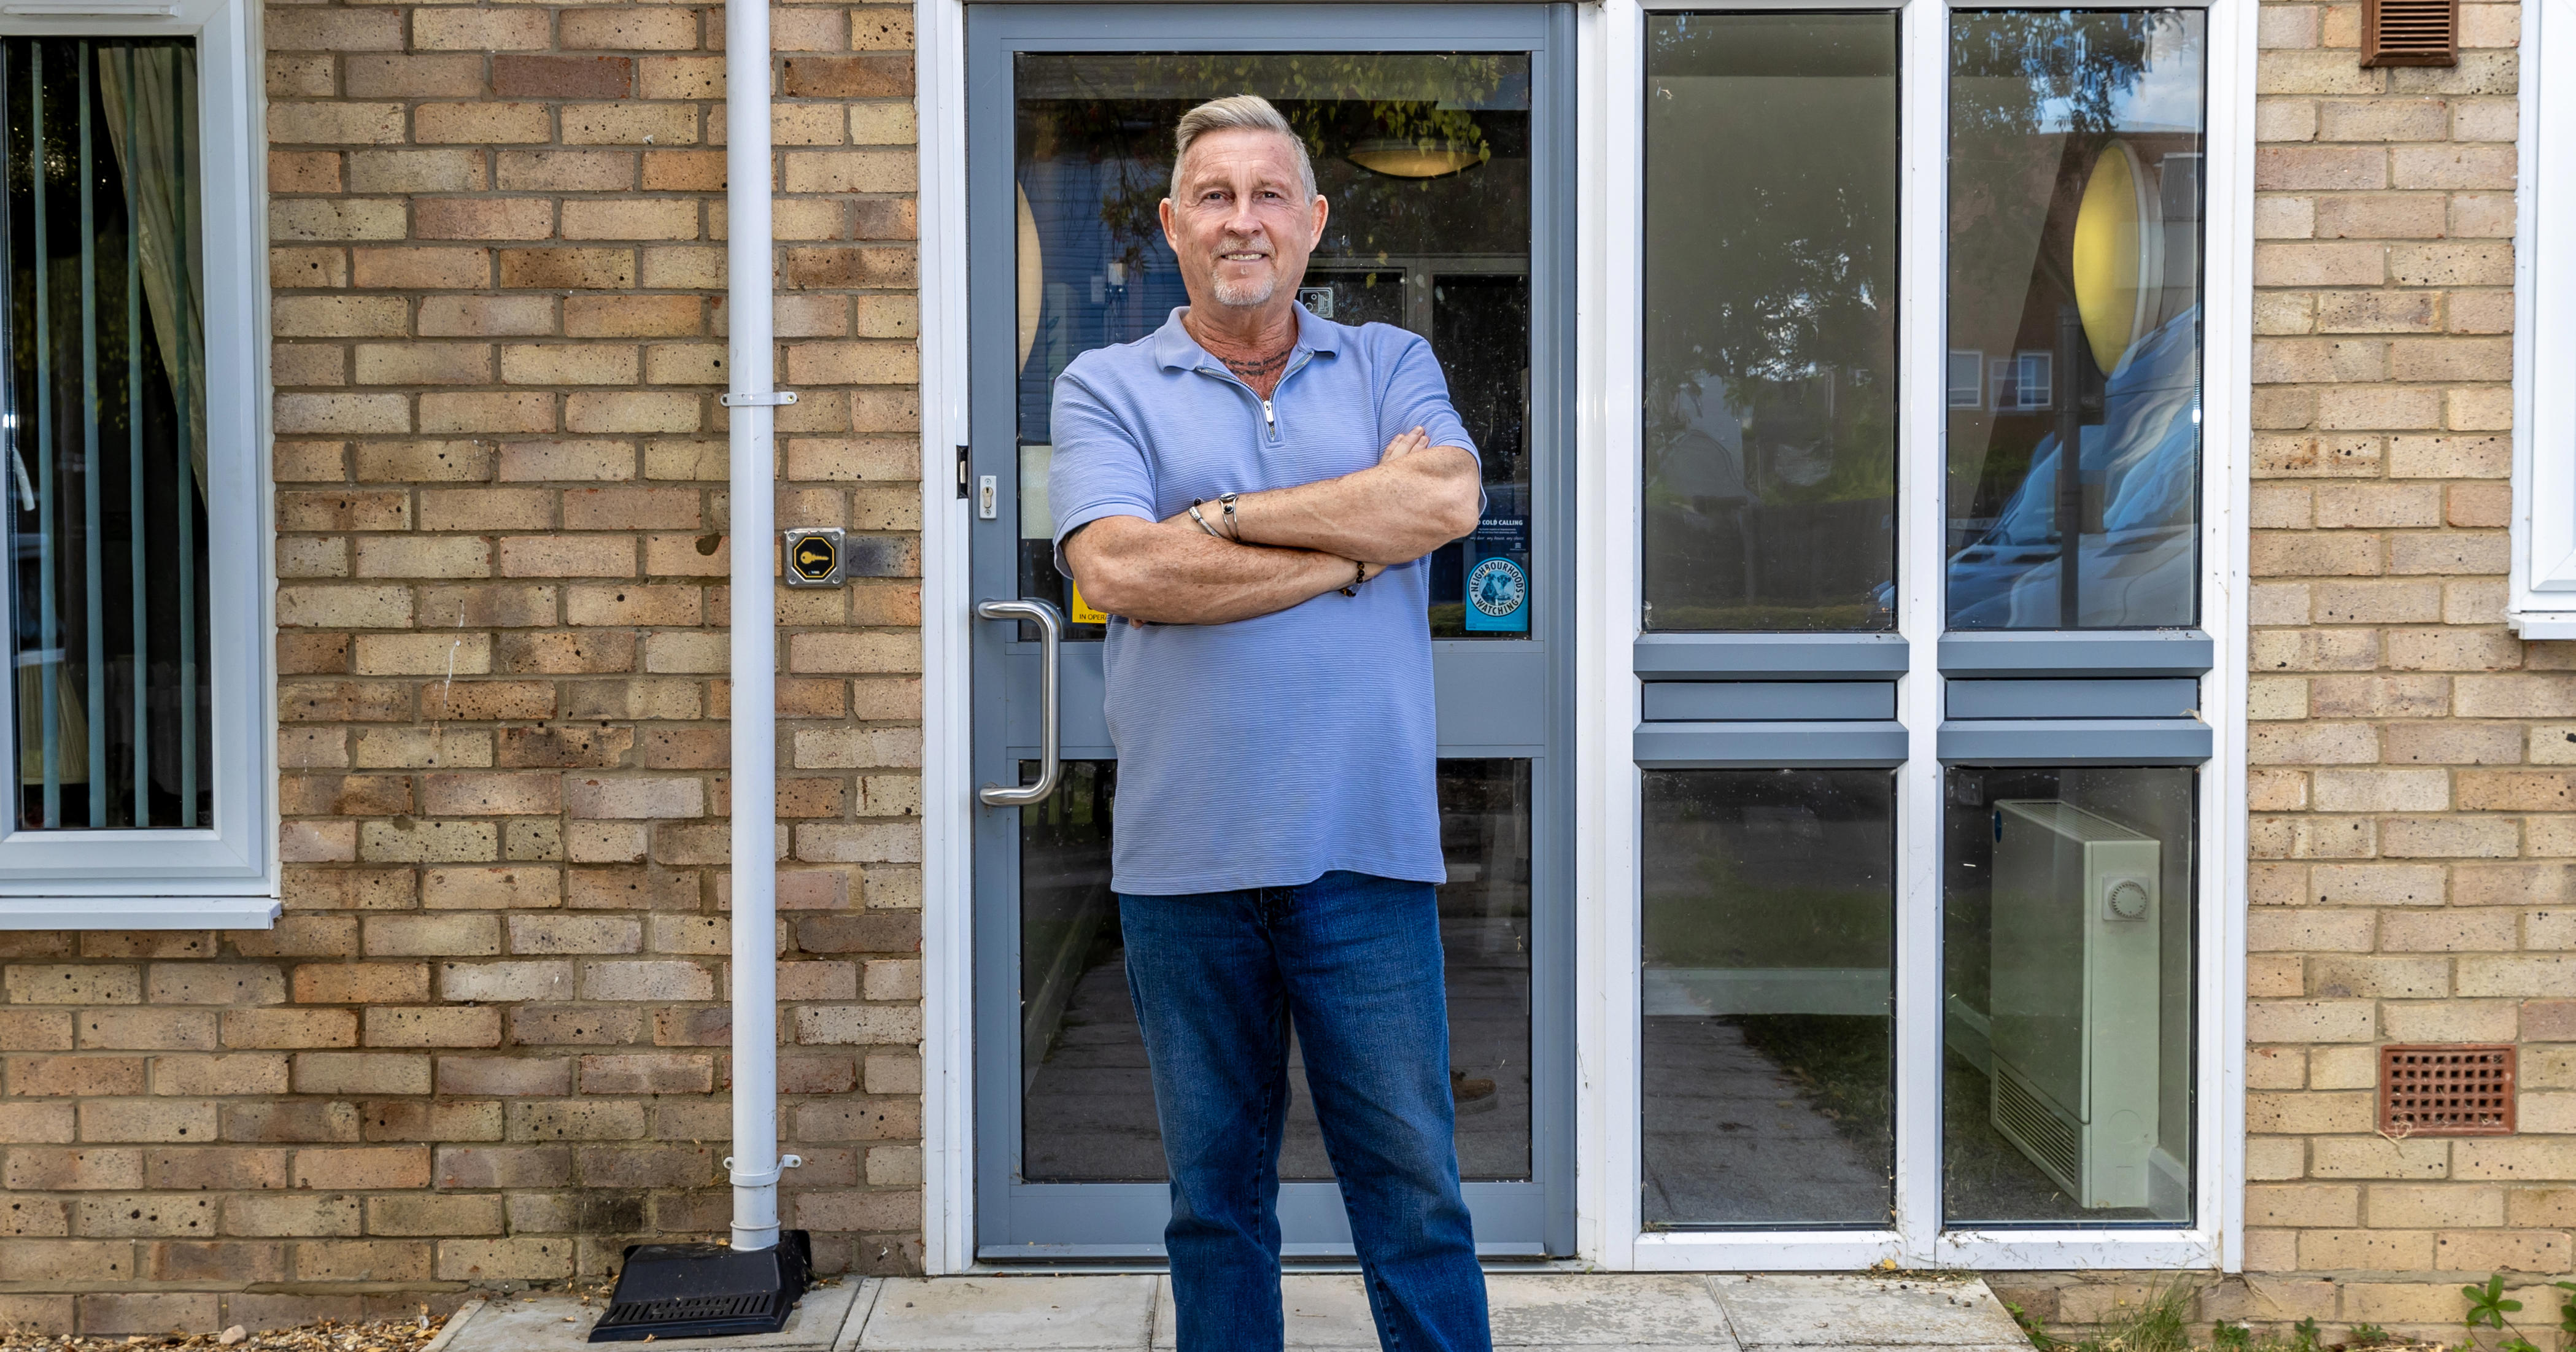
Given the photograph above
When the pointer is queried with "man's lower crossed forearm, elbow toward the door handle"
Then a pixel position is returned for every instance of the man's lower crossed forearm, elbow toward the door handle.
(1173, 573)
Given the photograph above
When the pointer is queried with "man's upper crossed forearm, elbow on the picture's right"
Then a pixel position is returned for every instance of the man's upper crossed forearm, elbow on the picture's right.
(1392, 514)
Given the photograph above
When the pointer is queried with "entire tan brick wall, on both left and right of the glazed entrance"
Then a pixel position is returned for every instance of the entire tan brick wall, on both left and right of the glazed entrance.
(488, 1039)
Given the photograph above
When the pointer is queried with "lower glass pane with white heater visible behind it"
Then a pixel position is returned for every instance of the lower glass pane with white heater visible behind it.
(2067, 970)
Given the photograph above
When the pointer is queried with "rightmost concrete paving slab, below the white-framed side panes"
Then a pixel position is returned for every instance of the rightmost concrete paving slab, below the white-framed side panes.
(1864, 1312)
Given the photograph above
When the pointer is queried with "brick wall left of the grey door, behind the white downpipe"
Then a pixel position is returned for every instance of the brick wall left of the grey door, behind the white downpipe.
(488, 1039)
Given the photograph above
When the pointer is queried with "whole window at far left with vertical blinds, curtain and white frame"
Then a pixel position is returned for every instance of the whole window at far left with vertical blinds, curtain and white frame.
(135, 444)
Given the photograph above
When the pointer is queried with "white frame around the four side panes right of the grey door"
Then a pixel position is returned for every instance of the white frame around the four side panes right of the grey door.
(1611, 815)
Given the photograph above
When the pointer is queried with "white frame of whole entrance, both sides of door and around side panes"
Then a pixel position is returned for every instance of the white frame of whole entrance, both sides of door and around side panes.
(1606, 805)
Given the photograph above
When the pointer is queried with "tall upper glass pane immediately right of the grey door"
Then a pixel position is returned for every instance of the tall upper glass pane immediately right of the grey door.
(1771, 321)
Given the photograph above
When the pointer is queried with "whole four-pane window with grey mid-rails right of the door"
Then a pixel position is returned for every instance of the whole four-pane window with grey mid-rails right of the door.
(1926, 797)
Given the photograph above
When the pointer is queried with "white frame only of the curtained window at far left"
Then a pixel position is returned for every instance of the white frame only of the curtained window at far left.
(228, 872)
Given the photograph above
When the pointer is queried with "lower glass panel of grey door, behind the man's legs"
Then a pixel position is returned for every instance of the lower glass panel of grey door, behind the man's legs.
(1088, 1101)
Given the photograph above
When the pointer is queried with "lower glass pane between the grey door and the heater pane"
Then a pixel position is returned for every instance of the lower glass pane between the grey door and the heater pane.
(1768, 998)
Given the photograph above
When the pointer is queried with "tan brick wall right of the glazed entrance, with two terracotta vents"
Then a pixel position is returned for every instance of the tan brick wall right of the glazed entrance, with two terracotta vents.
(2412, 771)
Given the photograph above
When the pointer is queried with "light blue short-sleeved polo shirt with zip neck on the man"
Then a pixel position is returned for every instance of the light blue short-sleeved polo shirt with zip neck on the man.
(1271, 751)
